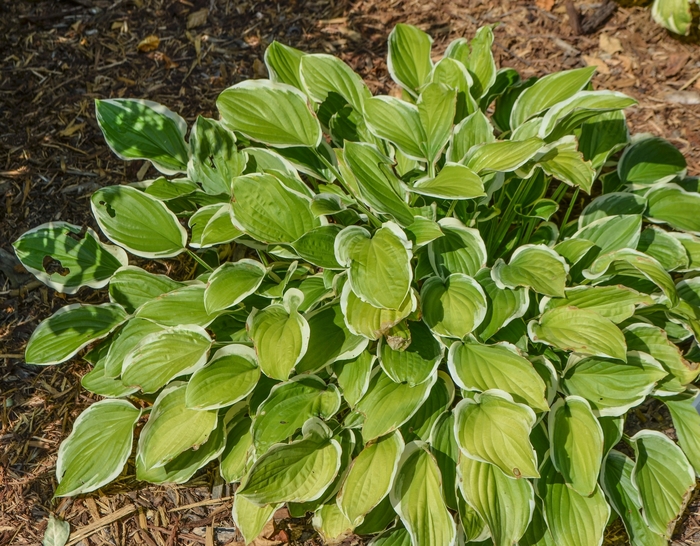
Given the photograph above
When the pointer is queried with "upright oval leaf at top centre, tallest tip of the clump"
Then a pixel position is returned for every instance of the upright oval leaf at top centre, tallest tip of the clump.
(408, 58)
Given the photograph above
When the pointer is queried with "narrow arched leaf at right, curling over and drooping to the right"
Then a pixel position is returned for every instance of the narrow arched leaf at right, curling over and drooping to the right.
(636, 264)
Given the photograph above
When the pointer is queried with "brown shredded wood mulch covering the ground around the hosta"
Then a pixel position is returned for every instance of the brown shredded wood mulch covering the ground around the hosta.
(58, 56)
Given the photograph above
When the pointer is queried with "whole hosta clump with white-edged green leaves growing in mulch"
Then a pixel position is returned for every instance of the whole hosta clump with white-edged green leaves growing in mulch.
(402, 321)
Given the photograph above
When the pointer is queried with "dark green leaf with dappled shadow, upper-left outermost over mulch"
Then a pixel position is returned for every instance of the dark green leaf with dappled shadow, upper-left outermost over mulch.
(143, 129)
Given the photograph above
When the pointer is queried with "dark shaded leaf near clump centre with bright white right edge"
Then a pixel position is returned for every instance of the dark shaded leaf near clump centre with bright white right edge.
(330, 339)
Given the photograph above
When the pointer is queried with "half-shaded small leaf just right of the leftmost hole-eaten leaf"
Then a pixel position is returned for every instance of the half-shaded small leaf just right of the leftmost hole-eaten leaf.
(132, 286)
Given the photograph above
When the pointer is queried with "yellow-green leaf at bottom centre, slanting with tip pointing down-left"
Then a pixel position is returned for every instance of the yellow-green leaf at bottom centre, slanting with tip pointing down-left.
(370, 477)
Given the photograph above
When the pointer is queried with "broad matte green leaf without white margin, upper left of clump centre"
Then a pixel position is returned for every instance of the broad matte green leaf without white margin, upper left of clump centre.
(268, 211)
